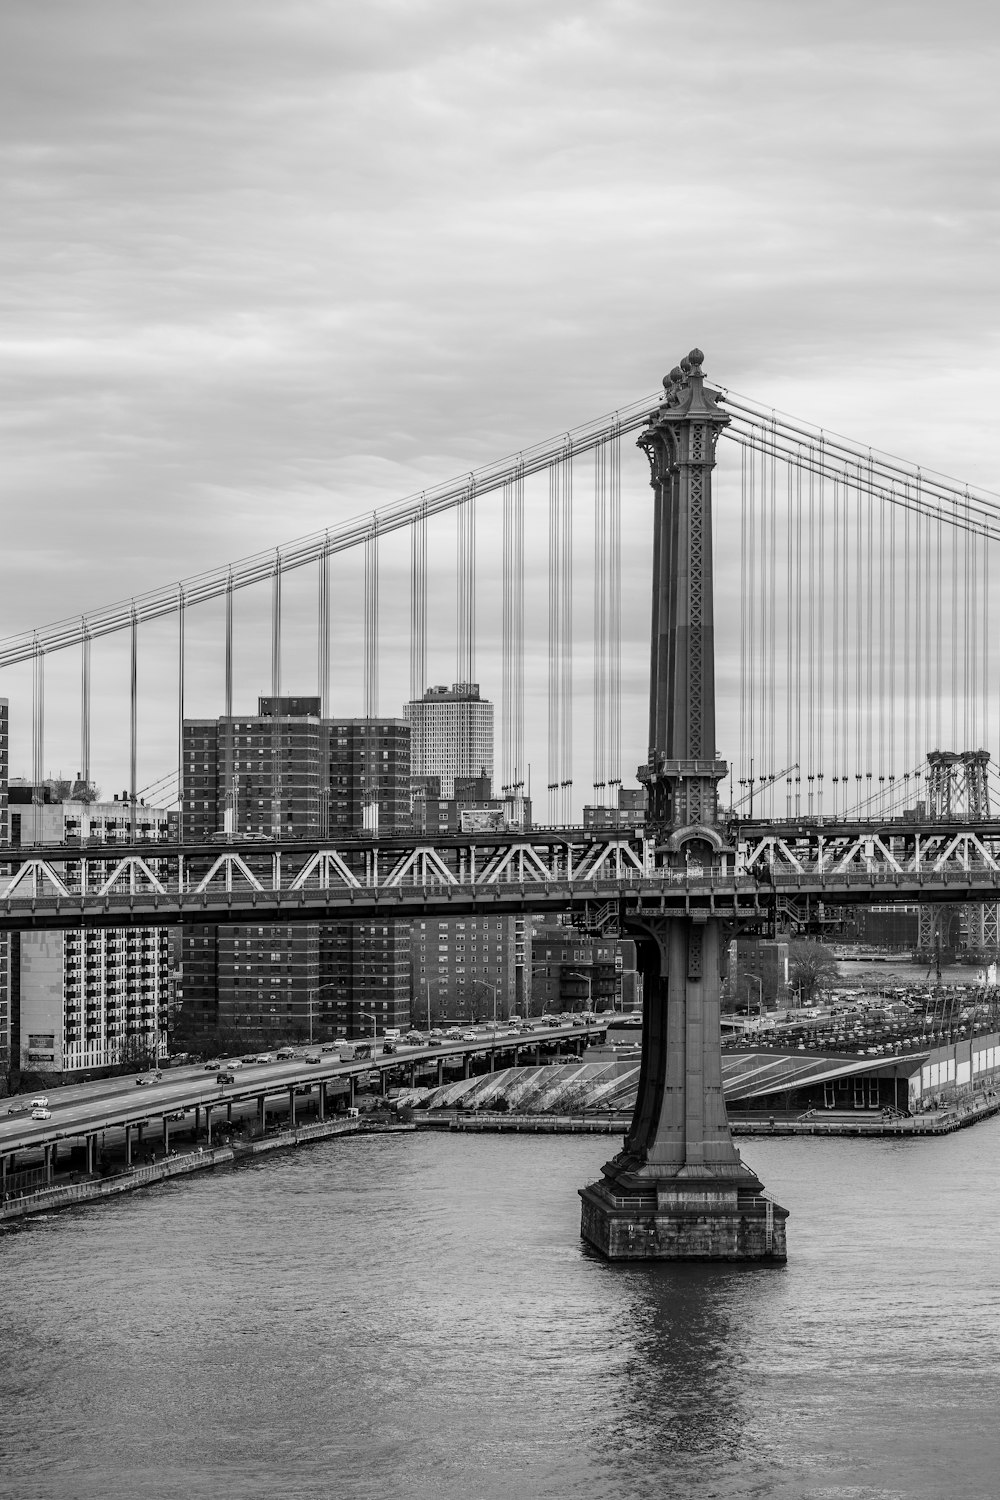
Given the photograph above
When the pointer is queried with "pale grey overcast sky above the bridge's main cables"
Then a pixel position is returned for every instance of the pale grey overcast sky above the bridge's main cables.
(266, 266)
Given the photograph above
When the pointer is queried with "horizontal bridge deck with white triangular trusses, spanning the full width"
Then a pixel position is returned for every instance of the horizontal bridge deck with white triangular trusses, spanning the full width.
(467, 875)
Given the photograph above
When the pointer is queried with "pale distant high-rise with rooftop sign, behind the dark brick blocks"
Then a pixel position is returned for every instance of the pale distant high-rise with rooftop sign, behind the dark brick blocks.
(452, 734)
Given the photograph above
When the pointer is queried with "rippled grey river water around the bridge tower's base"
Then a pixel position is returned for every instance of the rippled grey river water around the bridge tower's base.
(416, 1316)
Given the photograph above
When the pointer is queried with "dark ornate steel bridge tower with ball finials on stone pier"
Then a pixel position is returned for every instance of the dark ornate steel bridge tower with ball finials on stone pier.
(678, 1190)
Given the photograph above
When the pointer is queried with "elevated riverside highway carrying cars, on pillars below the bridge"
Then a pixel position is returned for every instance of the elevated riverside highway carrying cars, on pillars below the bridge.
(88, 1109)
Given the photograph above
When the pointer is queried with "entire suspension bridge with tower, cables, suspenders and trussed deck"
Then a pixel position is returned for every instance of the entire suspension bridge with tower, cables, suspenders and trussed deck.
(854, 640)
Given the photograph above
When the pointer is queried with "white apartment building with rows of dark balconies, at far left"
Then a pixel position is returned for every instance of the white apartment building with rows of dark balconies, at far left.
(89, 1000)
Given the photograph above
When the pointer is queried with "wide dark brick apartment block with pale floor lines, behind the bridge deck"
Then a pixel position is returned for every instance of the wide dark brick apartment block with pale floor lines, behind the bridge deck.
(289, 773)
